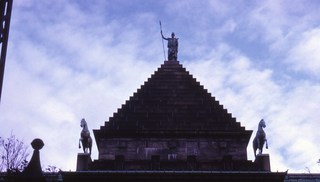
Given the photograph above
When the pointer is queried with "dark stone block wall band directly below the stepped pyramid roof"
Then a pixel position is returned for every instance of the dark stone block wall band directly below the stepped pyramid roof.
(172, 149)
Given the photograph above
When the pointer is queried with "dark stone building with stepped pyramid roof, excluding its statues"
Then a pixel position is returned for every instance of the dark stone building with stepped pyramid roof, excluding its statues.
(172, 129)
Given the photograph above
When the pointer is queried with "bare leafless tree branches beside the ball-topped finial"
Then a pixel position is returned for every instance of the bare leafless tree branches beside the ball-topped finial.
(13, 154)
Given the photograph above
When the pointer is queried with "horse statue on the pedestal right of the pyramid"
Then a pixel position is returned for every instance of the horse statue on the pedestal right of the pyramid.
(260, 138)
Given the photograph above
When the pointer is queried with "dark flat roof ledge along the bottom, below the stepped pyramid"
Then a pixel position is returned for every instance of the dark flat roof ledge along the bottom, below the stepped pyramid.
(173, 176)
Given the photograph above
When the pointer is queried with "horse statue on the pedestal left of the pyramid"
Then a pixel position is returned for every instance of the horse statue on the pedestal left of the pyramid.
(85, 137)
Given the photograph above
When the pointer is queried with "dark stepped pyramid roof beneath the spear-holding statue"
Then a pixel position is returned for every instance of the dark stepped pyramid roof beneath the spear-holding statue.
(171, 100)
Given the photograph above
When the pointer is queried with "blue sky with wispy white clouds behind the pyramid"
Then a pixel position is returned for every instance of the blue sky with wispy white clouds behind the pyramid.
(74, 59)
